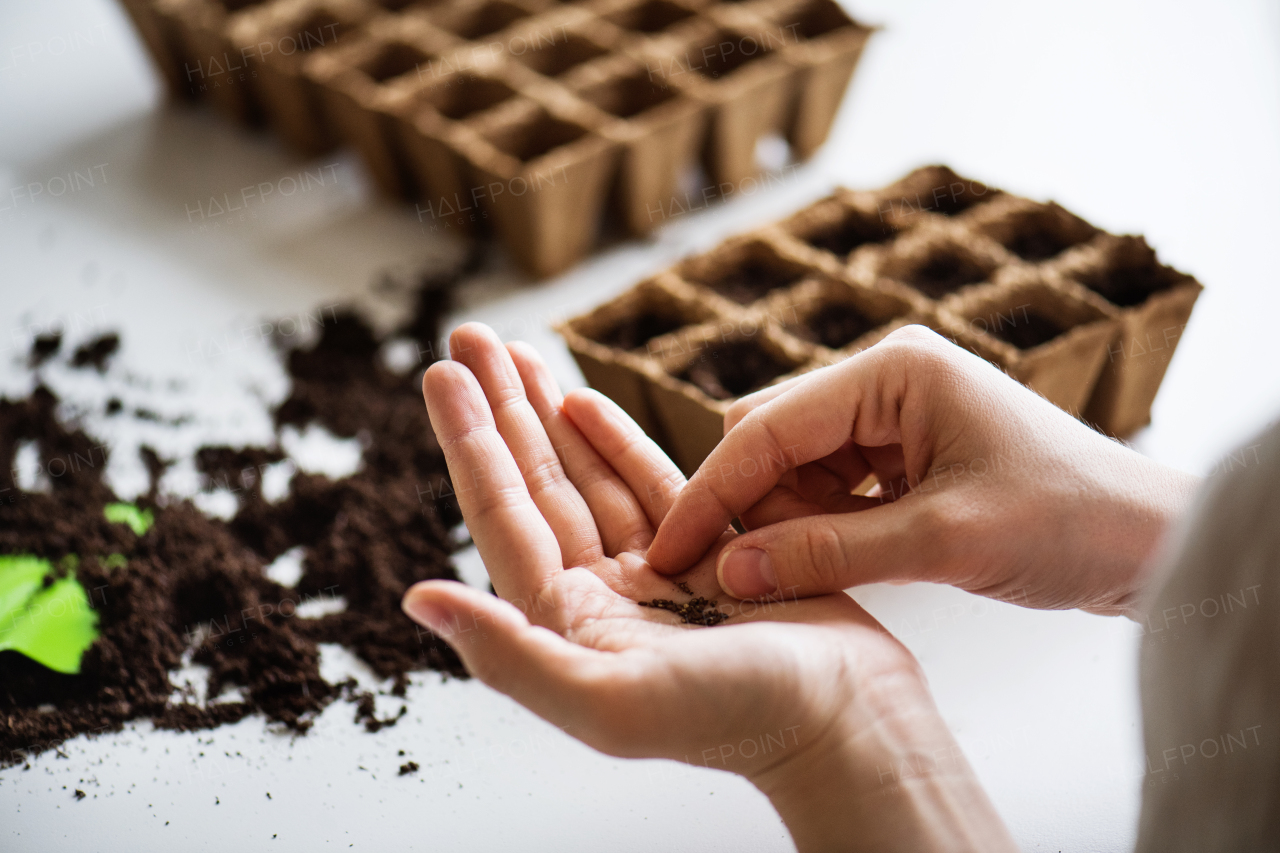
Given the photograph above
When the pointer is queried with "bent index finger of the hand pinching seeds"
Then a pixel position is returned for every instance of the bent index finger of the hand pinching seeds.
(861, 398)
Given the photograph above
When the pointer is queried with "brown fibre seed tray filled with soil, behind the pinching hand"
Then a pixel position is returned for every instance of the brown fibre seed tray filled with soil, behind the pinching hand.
(1087, 320)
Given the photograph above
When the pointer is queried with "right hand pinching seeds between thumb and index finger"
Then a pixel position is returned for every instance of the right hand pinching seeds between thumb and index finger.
(981, 485)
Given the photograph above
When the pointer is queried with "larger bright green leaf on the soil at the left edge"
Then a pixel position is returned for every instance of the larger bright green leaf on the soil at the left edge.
(52, 626)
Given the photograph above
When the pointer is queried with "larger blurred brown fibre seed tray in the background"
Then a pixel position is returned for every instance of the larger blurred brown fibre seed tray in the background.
(529, 118)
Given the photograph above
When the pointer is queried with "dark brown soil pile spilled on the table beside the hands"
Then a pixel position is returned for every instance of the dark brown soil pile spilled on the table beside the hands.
(196, 586)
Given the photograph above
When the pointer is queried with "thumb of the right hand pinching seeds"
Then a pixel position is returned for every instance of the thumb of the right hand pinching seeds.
(826, 554)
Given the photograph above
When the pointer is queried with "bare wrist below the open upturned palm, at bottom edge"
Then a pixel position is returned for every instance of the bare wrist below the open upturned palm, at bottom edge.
(885, 776)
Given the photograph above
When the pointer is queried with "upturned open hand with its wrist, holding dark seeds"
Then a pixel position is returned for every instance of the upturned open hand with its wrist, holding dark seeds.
(550, 490)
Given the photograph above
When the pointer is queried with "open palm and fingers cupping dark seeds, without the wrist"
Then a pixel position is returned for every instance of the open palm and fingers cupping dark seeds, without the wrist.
(563, 498)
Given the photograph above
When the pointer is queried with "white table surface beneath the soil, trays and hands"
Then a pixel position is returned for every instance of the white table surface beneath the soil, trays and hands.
(1159, 118)
